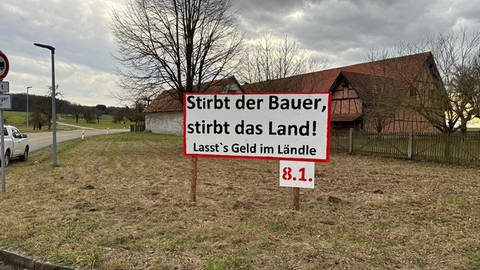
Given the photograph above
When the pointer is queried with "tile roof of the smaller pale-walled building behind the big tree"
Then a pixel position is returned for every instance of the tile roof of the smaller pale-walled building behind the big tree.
(168, 101)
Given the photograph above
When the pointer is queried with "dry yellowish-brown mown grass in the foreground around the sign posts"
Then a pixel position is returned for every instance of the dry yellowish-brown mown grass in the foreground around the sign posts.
(122, 202)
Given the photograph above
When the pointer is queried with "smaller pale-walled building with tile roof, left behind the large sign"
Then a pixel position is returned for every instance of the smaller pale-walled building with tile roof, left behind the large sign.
(165, 113)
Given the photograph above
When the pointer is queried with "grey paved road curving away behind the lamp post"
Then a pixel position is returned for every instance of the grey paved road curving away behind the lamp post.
(44, 139)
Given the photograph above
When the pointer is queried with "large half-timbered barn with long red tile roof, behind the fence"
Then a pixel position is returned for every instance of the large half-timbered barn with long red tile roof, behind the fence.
(368, 96)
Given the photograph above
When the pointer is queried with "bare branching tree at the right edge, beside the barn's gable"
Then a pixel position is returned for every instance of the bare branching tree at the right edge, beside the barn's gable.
(454, 99)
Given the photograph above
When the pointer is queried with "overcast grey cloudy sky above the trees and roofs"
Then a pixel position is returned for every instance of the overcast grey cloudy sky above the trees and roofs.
(341, 31)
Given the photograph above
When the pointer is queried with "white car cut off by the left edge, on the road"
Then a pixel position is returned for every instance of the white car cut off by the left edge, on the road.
(16, 144)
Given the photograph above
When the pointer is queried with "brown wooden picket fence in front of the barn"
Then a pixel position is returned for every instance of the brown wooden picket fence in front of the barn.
(452, 148)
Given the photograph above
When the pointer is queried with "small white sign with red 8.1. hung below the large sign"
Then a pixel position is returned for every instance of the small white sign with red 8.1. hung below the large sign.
(297, 174)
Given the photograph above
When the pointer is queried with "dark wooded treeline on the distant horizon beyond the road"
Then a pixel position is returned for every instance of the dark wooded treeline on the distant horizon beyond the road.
(19, 103)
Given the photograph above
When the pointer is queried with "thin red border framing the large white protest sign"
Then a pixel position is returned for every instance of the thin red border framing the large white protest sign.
(327, 159)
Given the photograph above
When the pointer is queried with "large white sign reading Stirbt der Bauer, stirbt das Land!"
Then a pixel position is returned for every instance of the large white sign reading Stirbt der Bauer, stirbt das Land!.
(286, 126)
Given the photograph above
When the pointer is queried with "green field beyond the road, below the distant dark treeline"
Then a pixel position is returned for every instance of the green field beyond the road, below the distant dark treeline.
(19, 119)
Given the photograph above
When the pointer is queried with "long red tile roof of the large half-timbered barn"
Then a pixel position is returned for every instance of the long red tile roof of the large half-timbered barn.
(400, 68)
